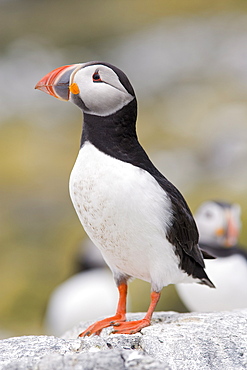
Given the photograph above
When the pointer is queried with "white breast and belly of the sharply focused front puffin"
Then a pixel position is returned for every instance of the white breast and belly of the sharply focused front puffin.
(125, 212)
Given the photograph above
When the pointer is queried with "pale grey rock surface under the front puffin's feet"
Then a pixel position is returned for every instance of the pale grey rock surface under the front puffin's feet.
(173, 341)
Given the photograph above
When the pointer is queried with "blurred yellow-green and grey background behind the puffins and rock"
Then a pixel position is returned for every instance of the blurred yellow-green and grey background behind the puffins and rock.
(188, 64)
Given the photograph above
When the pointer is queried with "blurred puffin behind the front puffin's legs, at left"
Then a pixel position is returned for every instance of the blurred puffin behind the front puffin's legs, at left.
(93, 279)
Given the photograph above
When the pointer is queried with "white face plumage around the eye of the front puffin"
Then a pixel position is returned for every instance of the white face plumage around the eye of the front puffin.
(103, 97)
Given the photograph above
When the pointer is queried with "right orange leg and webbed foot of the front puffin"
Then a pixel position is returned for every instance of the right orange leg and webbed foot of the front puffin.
(132, 327)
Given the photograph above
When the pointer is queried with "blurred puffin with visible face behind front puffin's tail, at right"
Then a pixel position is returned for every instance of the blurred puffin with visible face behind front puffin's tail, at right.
(219, 225)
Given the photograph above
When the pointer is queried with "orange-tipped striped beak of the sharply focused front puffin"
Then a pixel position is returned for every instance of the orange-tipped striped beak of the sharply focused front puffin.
(56, 82)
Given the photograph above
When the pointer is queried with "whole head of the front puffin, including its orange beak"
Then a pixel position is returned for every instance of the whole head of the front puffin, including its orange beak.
(98, 88)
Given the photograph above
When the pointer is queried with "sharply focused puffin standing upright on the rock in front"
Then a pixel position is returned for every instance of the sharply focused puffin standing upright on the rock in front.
(139, 220)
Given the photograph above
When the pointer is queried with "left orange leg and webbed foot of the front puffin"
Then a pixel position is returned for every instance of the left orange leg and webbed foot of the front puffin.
(120, 315)
